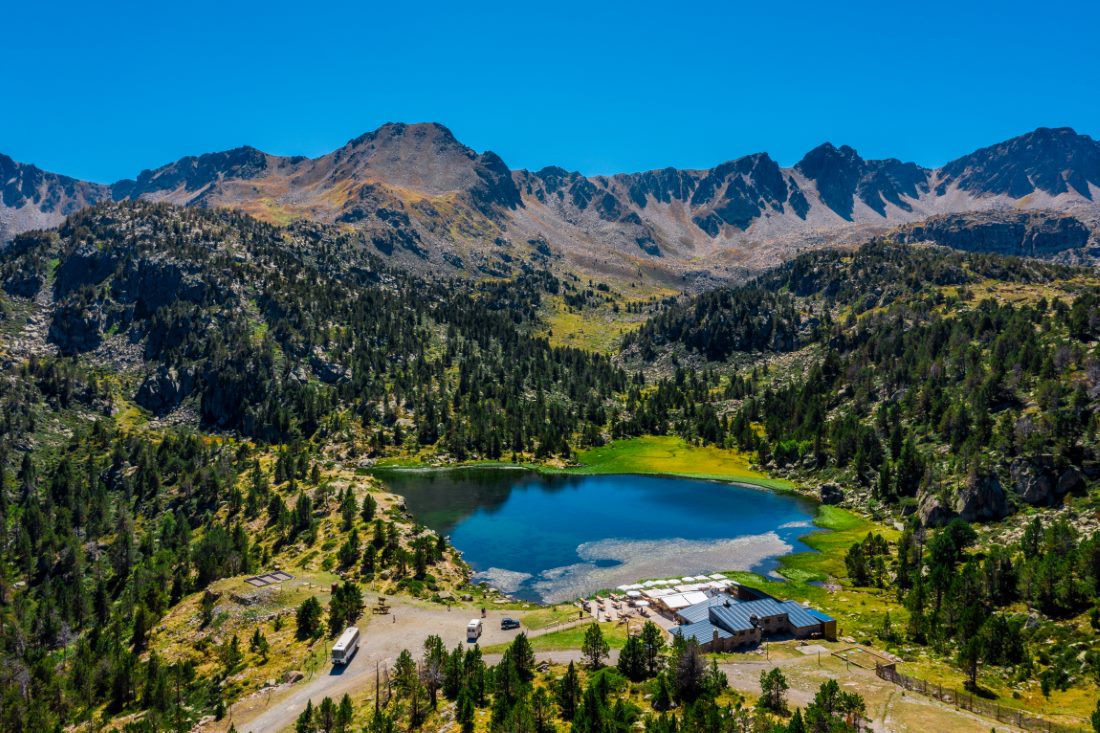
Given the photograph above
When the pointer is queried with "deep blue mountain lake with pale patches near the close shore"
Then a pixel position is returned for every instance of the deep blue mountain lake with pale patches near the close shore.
(554, 538)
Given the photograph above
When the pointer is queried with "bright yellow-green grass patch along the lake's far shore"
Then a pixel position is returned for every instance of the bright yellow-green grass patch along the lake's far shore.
(676, 457)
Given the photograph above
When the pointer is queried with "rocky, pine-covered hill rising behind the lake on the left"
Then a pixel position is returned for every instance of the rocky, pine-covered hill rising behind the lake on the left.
(270, 332)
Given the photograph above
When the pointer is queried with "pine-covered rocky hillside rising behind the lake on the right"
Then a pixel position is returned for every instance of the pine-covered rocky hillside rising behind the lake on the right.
(918, 373)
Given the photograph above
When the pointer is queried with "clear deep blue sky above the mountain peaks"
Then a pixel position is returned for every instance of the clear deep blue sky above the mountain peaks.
(102, 91)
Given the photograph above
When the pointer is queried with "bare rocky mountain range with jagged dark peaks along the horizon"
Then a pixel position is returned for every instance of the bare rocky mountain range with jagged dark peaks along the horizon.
(415, 193)
